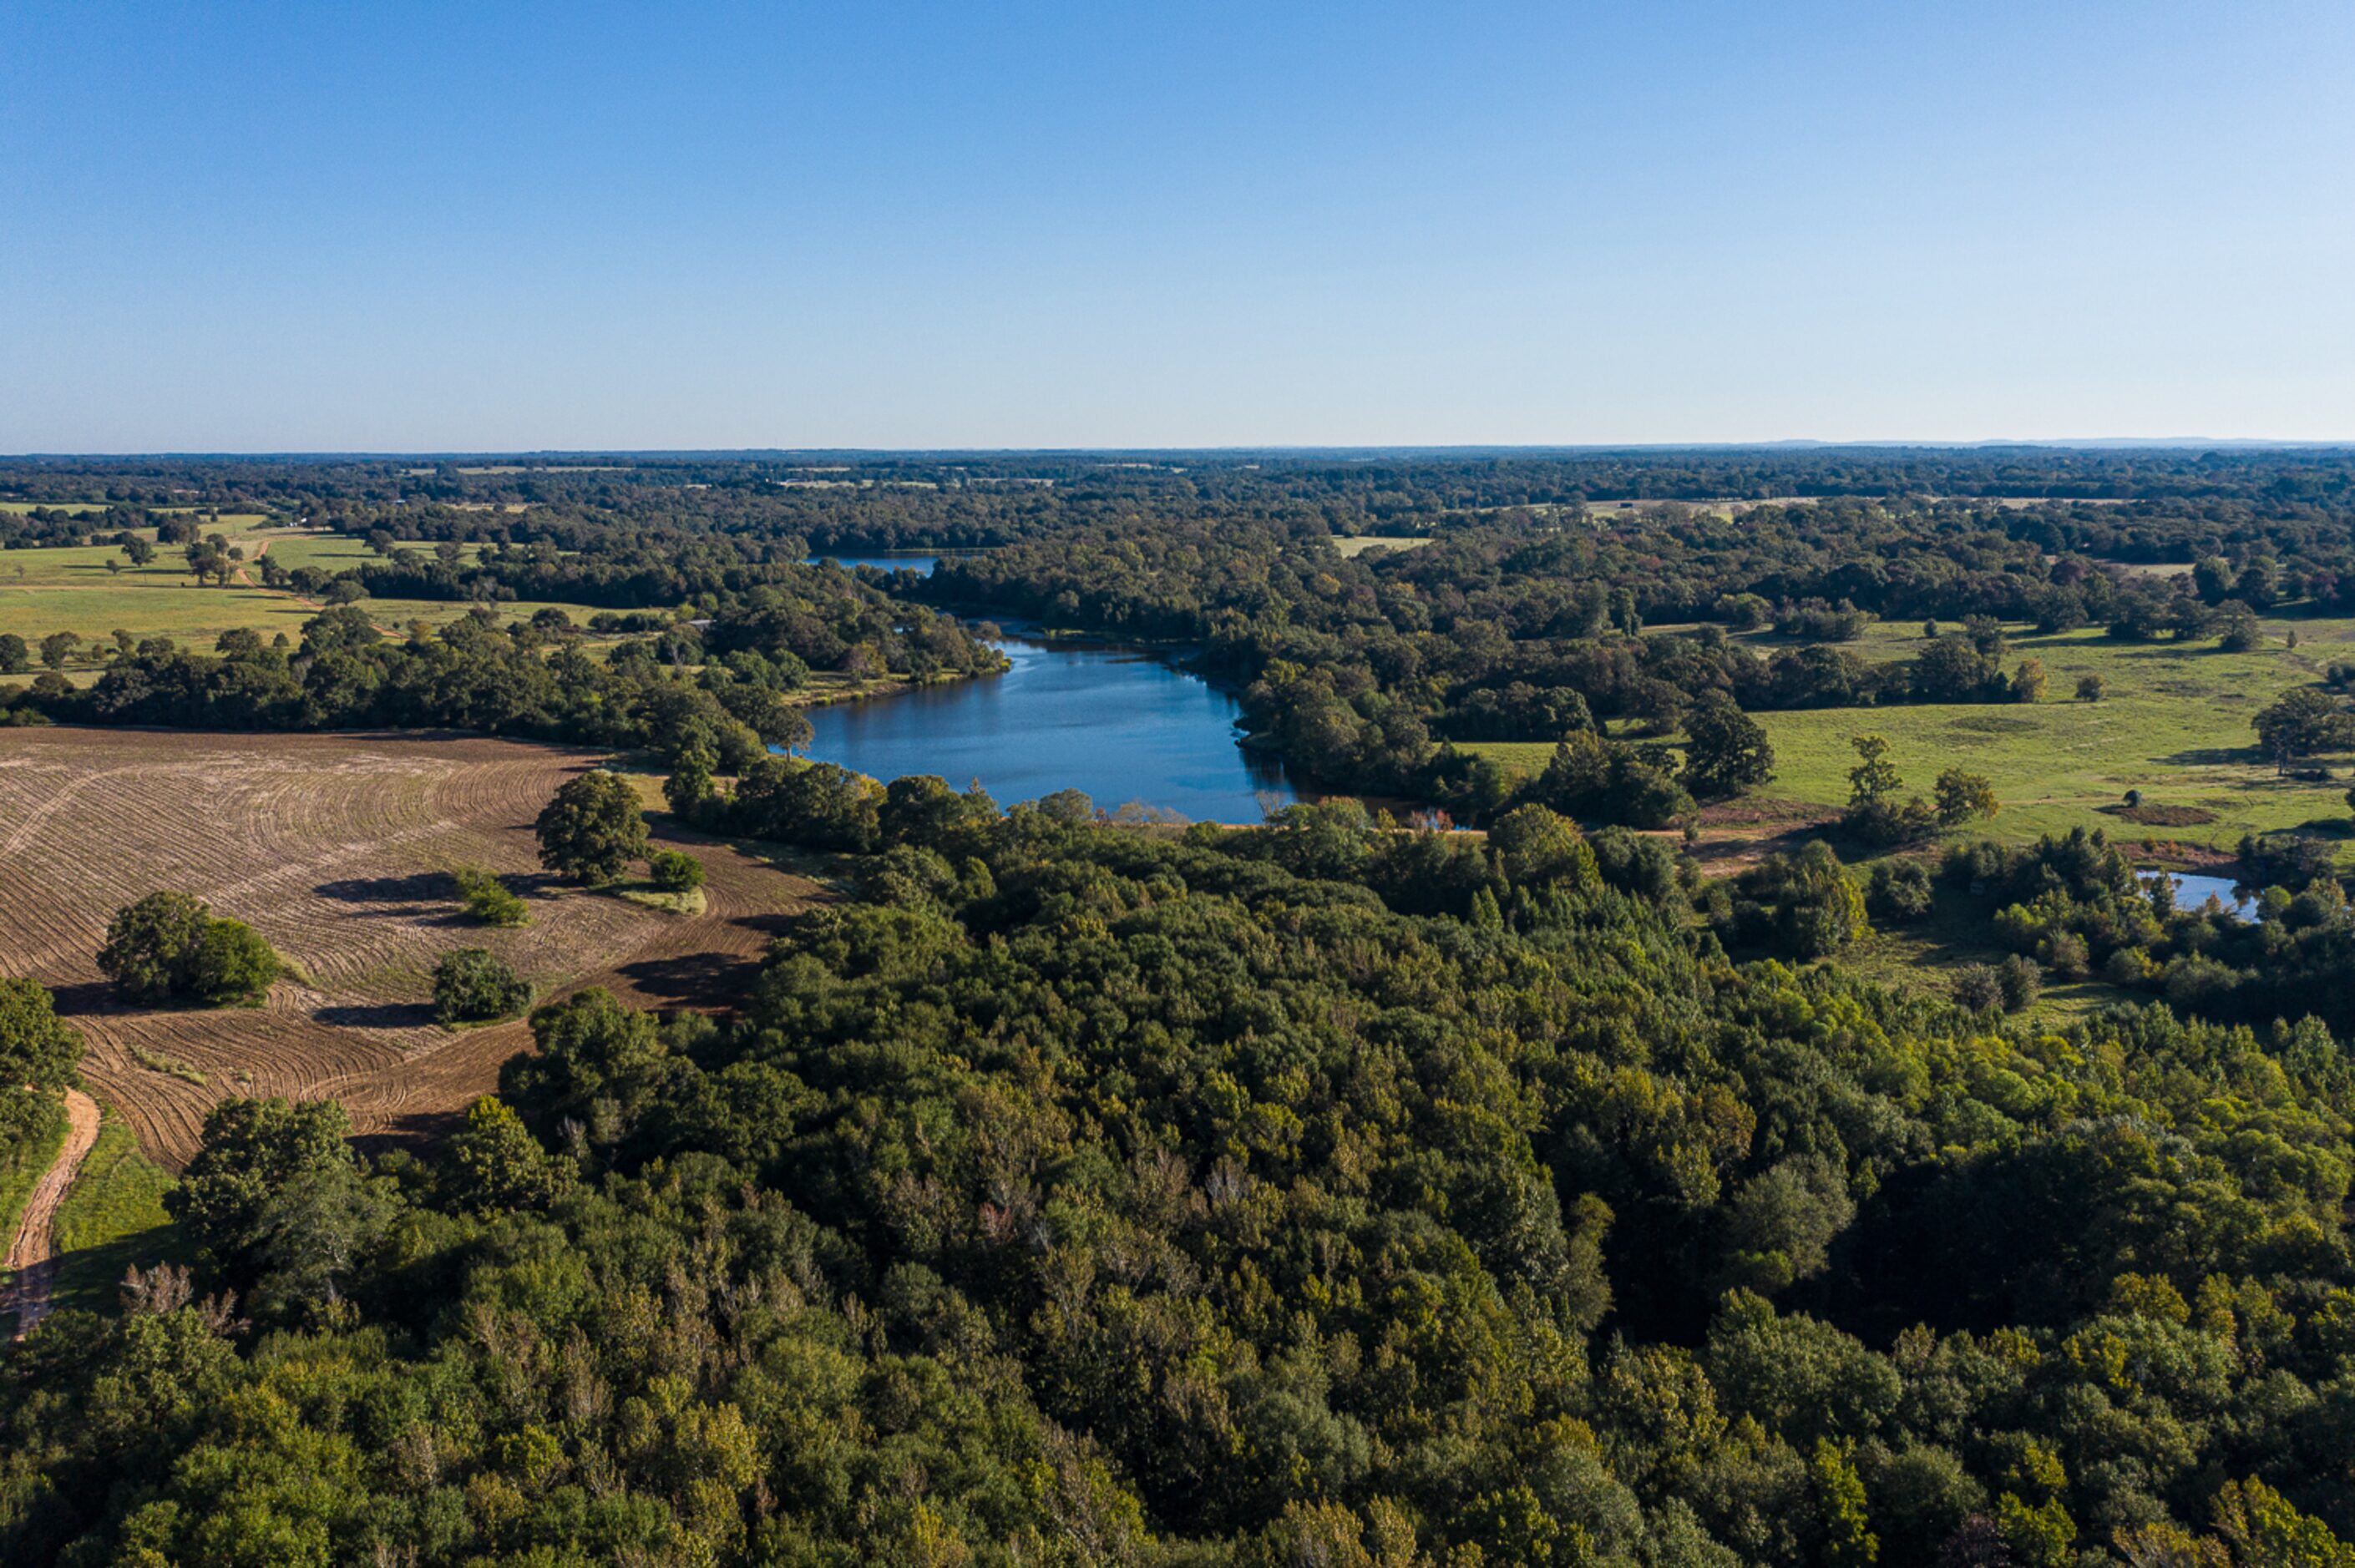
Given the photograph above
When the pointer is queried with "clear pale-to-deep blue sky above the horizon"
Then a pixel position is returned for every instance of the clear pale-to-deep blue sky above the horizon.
(500, 227)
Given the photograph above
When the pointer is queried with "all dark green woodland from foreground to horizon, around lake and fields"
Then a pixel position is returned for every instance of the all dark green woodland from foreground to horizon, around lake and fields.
(1306, 1195)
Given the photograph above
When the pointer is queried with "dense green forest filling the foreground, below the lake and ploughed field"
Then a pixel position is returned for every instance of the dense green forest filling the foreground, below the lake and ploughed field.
(1252, 1197)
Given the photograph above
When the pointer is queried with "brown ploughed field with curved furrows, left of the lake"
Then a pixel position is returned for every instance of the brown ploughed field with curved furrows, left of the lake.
(338, 849)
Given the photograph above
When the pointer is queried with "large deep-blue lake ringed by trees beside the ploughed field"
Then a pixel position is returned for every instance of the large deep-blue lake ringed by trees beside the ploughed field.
(1113, 722)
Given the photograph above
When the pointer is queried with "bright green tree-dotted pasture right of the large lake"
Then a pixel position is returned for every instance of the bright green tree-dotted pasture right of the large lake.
(2175, 726)
